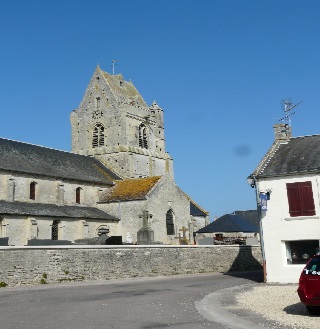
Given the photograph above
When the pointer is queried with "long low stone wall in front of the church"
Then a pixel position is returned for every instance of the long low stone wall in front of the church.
(50, 264)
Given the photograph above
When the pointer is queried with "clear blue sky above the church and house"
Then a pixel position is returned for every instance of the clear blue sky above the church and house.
(218, 68)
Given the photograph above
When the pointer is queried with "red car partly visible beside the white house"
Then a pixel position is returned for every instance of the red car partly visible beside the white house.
(309, 285)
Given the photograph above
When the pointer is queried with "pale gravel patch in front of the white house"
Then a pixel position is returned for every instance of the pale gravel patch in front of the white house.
(279, 303)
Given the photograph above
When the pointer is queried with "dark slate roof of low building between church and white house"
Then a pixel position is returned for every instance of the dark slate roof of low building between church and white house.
(229, 223)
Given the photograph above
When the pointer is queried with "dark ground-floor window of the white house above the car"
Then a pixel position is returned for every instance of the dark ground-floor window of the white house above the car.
(300, 251)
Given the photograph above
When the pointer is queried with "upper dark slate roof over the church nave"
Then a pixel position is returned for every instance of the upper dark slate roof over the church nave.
(39, 160)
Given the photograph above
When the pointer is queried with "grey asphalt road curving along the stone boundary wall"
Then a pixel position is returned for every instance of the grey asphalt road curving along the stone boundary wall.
(144, 303)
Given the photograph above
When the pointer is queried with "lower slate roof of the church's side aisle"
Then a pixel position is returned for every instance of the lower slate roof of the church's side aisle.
(52, 210)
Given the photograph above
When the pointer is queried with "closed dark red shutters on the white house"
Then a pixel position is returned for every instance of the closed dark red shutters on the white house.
(300, 199)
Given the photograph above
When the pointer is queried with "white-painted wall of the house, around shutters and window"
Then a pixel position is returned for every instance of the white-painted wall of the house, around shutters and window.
(279, 227)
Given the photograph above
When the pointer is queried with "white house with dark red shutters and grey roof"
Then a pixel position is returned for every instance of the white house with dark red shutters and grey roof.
(287, 187)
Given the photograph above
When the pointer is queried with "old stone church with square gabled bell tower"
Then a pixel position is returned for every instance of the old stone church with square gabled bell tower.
(118, 179)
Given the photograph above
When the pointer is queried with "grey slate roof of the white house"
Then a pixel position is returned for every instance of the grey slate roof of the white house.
(299, 155)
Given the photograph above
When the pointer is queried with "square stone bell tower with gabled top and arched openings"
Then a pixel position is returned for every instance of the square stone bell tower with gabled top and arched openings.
(114, 124)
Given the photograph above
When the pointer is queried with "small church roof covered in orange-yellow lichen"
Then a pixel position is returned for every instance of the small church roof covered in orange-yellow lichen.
(130, 189)
